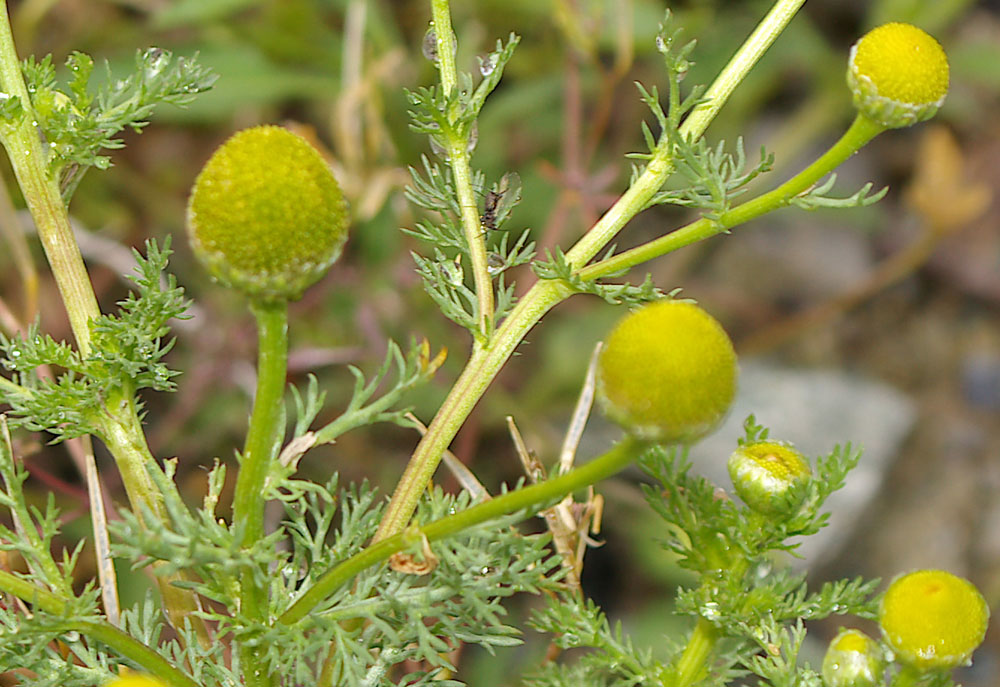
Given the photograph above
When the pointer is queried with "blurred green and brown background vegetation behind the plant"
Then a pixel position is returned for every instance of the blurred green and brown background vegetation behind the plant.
(906, 293)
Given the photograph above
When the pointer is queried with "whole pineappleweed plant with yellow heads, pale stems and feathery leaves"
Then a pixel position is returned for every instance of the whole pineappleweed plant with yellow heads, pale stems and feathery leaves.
(349, 589)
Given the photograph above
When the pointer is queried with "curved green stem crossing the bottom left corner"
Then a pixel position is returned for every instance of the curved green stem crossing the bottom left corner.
(126, 645)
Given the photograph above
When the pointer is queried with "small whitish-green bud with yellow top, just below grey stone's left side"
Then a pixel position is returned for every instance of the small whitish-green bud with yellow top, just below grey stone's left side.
(764, 474)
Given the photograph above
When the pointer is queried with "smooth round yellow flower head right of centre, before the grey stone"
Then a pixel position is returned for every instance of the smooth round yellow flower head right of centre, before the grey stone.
(667, 372)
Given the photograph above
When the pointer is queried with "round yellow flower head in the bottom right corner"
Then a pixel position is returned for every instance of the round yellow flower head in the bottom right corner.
(932, 619)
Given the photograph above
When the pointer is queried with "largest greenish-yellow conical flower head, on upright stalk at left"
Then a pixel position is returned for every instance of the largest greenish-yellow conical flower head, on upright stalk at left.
(266, 215)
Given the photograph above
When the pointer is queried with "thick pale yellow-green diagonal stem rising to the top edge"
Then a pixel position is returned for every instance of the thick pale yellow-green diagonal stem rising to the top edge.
(486, 362)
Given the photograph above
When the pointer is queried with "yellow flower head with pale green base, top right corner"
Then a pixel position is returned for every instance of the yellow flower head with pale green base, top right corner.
(898, 75)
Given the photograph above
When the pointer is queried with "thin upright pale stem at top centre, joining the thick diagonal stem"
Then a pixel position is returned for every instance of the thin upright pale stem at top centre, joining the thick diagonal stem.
(457, 146)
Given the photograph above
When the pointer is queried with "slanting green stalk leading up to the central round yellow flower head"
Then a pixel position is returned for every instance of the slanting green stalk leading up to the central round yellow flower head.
(526, 498)
